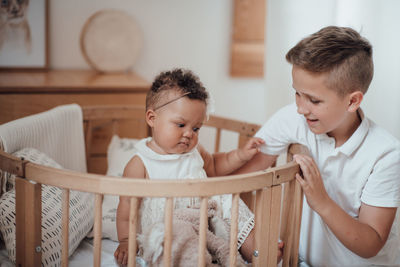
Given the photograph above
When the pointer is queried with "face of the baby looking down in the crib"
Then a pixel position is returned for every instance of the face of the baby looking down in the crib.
(176, 126)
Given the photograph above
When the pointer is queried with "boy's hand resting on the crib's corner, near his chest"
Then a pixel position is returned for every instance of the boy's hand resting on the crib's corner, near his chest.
(311, 183)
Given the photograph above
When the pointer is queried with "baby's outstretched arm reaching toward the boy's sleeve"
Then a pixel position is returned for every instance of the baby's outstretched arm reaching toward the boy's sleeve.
(225, 163)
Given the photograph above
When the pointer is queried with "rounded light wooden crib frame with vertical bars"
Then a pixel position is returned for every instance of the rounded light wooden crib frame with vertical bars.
(273, 194)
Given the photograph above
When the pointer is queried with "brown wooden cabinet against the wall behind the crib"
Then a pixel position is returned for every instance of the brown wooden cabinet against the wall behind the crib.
(26, 93)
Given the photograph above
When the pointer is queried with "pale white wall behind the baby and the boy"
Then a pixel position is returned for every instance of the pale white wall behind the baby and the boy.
(196, 34)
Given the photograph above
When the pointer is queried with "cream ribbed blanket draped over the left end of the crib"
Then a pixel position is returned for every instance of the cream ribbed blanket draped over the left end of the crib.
(57, 132)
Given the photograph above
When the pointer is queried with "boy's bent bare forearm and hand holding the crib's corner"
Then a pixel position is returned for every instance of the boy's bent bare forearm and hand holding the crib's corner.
(364, 236)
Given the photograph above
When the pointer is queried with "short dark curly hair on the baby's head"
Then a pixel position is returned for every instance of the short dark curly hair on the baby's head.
(179, 80)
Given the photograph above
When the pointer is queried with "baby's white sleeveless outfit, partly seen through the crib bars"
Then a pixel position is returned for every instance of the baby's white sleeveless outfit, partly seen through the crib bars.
(184, 166)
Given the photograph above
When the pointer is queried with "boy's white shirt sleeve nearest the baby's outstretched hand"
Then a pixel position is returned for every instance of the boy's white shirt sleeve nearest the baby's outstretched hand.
(283, 128)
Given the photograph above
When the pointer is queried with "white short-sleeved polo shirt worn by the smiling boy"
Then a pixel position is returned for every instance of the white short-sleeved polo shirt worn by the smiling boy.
(364, 169)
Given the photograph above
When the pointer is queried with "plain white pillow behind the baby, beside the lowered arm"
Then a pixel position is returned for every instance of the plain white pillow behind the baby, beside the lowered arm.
(119, 152)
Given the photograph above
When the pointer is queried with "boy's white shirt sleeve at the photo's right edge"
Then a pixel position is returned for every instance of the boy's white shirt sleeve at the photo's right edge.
(383, 185)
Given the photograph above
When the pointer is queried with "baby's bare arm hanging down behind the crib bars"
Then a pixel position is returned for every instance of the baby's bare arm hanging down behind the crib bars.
(134, 169)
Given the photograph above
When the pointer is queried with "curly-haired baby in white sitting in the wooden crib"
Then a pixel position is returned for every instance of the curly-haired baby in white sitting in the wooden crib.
(176, 108)
